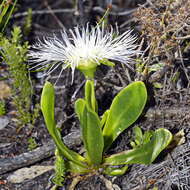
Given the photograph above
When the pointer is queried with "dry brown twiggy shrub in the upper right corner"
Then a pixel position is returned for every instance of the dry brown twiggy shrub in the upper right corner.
(165, 25)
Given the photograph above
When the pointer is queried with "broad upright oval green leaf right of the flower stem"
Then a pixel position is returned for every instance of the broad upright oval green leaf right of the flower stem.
(125, 109)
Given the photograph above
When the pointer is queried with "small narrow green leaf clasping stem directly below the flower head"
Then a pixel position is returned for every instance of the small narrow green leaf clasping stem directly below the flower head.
(90, 95)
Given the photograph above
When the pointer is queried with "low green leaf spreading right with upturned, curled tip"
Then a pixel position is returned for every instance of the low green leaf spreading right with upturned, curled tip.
(144, 154)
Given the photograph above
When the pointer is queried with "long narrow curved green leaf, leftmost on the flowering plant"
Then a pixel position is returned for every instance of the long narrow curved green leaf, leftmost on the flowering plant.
(47, 107)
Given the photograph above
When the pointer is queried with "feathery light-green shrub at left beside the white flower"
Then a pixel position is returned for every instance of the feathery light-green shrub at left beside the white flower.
(14, 53)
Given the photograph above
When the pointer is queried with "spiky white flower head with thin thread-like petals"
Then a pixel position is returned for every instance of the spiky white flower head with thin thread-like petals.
(83, 49)
